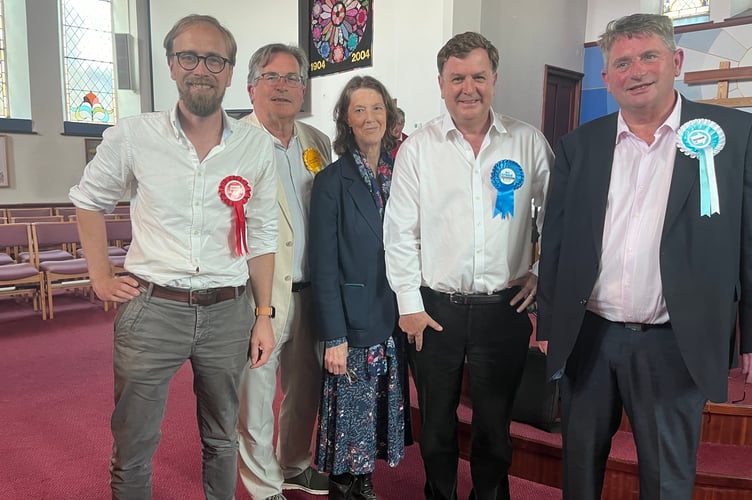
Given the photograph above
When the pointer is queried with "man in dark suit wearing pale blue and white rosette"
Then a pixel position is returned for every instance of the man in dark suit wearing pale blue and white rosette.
(646, 258)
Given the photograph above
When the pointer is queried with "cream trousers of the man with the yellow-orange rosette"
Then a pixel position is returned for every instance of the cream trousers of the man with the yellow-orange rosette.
(298, 357)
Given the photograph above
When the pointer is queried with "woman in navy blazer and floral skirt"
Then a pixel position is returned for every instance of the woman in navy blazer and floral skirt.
(362, 412)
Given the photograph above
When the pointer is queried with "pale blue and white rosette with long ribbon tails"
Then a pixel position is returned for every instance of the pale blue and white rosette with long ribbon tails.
(703, 139)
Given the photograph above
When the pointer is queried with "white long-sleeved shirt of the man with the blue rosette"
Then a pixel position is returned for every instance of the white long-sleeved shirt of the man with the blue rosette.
(440, 230)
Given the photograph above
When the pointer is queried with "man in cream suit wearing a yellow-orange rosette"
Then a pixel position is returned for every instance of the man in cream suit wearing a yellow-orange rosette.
(276, 85)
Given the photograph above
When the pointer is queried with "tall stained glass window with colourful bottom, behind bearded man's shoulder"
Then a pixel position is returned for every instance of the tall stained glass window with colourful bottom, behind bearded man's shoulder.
(88, 61)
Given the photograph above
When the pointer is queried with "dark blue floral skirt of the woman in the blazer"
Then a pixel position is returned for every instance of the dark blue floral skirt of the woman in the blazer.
(361, 417)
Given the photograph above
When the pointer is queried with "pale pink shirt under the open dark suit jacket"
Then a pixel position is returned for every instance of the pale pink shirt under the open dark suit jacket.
(629, 287)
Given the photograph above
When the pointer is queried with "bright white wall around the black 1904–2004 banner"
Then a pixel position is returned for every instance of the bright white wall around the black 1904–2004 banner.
(403, 53)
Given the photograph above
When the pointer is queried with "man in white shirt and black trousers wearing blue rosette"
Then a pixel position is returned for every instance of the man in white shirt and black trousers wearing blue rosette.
(457, 238)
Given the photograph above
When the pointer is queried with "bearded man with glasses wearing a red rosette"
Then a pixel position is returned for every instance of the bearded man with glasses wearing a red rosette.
(204, 186)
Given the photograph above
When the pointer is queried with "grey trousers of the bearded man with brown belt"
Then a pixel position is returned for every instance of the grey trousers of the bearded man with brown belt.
(153, 338)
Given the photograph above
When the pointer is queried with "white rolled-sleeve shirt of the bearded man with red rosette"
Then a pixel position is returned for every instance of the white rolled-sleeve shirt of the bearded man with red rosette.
(183, 233)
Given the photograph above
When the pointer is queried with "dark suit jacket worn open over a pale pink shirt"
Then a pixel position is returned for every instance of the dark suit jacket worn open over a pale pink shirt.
(706, 263)
